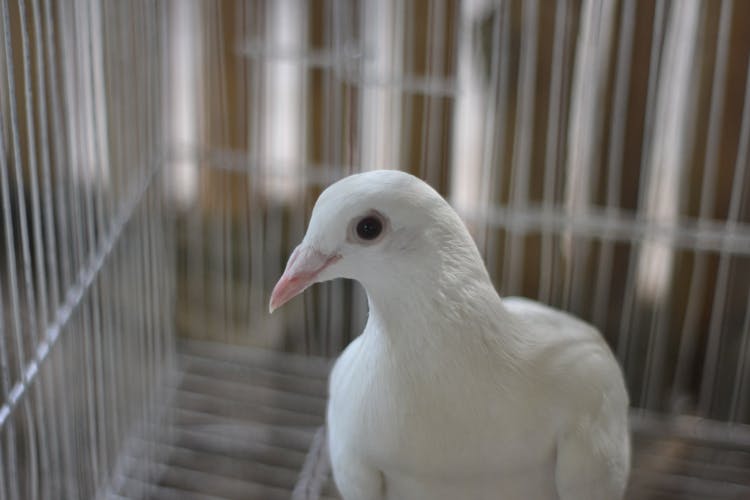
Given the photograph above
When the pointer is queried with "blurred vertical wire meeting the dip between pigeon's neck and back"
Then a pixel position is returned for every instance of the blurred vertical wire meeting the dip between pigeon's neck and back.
(522, 143)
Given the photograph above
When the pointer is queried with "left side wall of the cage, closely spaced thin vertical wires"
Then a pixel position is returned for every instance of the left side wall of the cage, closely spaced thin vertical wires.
(86, 320)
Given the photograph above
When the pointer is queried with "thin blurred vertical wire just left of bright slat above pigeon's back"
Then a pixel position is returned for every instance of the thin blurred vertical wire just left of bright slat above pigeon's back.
(552, 143)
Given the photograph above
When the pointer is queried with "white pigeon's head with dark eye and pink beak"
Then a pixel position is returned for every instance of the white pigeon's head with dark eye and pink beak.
(375, 227)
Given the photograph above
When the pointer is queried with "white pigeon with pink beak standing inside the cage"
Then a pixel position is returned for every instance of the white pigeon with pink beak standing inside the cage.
(450, 392)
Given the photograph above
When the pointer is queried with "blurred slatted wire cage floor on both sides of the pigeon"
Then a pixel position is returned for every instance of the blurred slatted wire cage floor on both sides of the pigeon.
(239, 424)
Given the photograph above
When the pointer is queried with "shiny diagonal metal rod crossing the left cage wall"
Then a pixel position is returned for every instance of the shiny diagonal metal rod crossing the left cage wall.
(74, 297)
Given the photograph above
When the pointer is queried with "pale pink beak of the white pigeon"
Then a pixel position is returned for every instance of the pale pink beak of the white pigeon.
(304, 265)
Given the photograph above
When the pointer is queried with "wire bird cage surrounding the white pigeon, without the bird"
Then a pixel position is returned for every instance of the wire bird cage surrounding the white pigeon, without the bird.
(160, 159)
